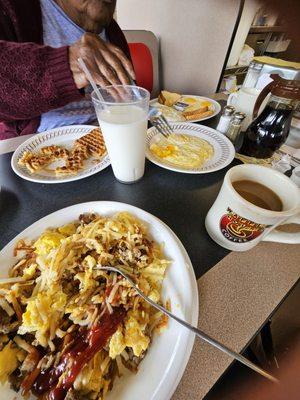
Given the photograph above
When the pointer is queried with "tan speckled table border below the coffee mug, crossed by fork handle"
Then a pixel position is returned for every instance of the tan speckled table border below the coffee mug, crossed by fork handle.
(236, 298)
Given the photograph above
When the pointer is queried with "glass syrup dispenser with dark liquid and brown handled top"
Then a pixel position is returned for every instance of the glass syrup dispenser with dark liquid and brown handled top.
(270, 130)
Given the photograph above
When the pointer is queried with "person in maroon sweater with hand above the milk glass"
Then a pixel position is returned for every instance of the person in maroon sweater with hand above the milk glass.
(35, 78)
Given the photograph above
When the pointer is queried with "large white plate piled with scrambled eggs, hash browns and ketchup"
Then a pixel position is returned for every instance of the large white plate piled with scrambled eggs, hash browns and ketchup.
(71, 331)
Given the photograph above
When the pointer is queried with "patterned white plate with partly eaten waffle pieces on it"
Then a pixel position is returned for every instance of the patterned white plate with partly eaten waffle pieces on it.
(61, 155)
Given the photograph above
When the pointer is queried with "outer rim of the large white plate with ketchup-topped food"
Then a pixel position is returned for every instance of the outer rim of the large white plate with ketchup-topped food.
(173, 381)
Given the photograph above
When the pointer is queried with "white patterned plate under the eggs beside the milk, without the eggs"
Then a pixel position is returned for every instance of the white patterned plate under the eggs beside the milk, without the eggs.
(224, 151)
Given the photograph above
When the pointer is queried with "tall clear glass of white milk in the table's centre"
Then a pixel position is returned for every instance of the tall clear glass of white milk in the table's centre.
(123, 118)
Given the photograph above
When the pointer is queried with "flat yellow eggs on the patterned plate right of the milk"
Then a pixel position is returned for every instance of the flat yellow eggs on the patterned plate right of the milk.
(183, 150)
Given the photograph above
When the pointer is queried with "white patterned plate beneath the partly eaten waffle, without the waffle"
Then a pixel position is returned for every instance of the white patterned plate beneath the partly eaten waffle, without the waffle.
(64, 136)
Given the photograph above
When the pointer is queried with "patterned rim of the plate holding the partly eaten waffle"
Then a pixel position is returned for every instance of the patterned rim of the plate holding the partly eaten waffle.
(14, 158)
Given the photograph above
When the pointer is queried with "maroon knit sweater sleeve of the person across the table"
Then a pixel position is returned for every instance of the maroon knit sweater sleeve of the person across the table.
(34, 79)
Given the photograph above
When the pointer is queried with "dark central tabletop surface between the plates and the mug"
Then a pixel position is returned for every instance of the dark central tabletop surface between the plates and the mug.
(180, 200)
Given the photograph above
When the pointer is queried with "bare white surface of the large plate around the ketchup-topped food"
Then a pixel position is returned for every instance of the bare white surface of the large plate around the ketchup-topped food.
(161, 370)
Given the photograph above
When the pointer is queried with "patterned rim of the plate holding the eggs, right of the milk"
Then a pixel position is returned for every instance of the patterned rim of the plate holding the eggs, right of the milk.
(183, 171)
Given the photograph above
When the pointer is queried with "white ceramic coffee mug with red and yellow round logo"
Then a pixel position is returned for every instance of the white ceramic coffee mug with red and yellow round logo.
(237, 224)
